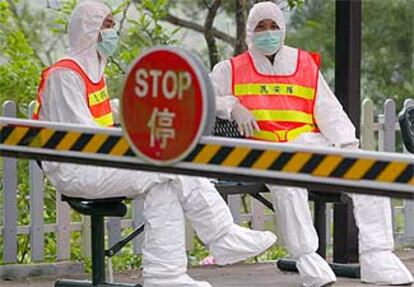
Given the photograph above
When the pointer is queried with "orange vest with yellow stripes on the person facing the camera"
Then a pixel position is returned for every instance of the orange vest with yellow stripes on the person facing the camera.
(281, 104)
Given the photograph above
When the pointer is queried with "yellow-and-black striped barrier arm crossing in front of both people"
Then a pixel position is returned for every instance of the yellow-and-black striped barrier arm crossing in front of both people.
(283, 164)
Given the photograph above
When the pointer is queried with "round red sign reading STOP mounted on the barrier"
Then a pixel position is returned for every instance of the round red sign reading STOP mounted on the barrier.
(164, 105)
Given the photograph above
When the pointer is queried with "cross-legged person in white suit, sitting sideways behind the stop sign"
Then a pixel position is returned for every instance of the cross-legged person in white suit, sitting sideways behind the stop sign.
(73, 91)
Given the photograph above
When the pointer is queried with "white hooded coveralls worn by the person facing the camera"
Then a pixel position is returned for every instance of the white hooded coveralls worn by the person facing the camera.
(372, 213)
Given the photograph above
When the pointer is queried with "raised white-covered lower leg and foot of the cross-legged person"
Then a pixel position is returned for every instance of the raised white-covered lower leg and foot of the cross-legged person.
(212, 220)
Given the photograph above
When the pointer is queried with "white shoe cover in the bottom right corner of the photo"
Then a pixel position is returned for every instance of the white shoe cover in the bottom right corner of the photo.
(384, 268)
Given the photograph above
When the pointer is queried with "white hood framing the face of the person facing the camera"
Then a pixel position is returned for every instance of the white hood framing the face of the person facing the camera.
(259, 12)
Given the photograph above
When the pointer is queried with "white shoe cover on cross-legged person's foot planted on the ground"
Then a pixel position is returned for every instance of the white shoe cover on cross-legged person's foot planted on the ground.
(178, 281)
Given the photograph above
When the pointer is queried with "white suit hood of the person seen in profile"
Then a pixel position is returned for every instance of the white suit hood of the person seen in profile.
(84, 26)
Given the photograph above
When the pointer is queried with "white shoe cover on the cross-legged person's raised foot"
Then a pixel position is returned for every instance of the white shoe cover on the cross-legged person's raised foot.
(240, 243)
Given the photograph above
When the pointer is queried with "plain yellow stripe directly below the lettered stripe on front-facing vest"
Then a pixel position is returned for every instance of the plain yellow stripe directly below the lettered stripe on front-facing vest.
(283, 116)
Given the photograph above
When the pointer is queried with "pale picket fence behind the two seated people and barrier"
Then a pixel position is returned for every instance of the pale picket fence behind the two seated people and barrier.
(379, 131)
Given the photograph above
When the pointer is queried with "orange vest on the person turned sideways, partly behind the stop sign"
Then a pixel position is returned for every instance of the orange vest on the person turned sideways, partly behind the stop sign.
(97, 96)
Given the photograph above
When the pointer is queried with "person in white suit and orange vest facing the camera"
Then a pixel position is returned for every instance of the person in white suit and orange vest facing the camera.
(276, 93)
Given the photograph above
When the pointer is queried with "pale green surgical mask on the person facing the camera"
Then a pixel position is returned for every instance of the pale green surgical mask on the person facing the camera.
(268, 42)
